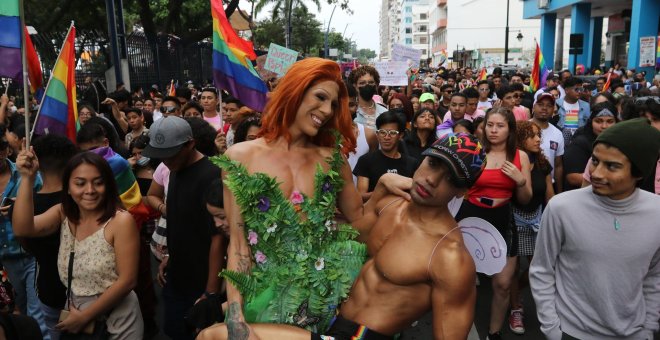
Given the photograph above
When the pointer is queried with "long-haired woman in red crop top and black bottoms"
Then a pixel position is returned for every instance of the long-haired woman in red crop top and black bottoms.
(507, 174)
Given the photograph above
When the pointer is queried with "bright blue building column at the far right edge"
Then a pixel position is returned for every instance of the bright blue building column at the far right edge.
(643, 23)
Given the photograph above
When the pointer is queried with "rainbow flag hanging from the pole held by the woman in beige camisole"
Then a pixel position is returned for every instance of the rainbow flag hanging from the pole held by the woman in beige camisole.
(58, 112)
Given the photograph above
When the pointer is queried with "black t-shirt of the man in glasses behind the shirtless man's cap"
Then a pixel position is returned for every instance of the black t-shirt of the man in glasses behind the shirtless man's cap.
(374, 164)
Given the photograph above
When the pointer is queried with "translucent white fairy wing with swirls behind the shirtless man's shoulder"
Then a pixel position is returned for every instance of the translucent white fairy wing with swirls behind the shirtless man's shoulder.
(485, 244)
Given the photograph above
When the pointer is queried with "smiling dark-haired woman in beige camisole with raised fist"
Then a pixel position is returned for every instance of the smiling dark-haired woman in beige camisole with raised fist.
(99, 244)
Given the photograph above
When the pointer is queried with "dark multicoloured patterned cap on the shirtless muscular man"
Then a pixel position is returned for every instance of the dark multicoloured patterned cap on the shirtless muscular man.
(463, 155)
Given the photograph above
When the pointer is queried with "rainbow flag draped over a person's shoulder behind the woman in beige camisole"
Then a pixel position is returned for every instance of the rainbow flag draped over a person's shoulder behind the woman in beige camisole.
(129, 191)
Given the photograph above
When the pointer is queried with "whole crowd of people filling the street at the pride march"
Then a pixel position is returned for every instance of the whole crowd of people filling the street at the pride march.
(327, 215)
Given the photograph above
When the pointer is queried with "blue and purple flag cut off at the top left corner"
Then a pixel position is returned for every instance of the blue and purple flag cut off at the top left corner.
(10, 40)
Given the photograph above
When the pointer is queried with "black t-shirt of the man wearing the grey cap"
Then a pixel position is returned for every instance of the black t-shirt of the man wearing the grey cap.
(189, 225)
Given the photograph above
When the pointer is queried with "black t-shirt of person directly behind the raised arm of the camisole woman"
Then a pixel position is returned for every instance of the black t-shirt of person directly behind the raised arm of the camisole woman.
(50, 289)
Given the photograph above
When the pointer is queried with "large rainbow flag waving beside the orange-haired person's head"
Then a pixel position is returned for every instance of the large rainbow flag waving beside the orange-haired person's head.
(232, 66)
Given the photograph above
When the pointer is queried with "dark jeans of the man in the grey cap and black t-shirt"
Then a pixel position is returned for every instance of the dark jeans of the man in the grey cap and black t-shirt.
(177, 303)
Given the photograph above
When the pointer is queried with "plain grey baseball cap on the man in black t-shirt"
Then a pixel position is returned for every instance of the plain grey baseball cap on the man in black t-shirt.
(167, 136)
